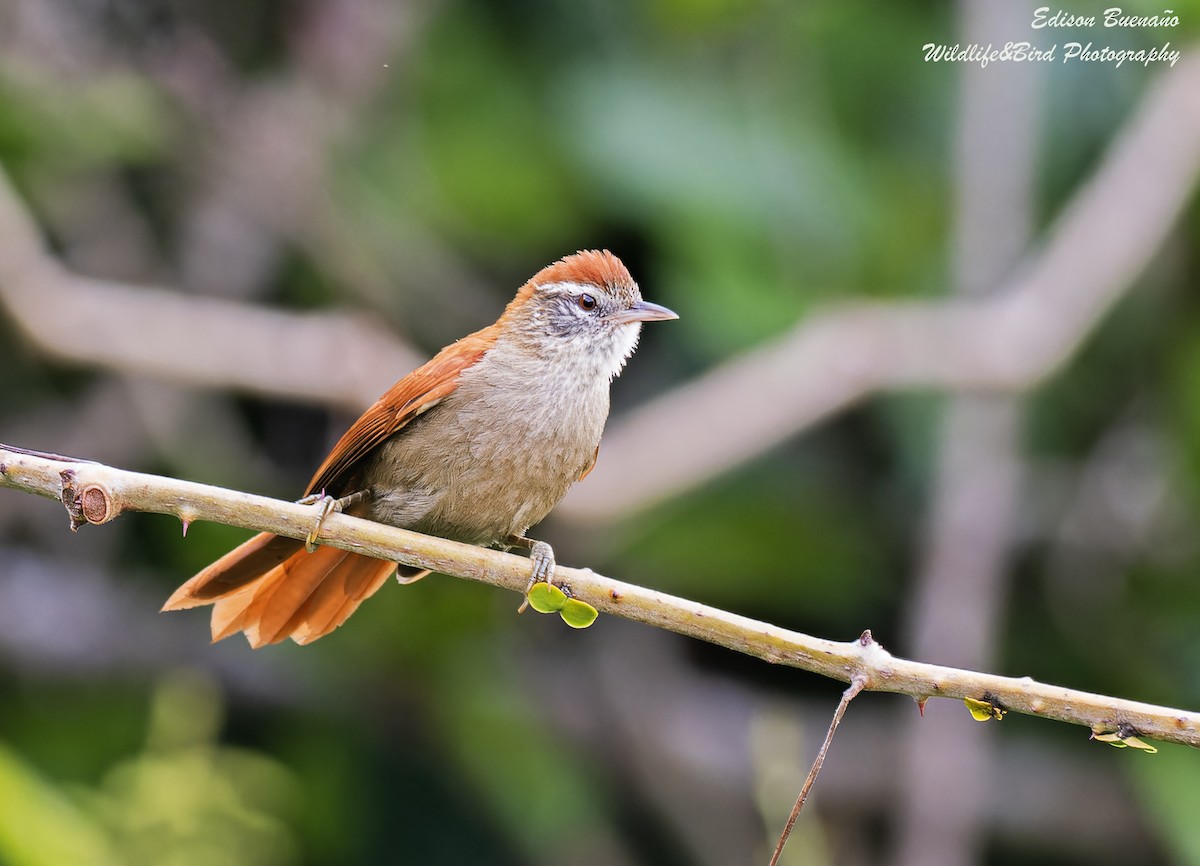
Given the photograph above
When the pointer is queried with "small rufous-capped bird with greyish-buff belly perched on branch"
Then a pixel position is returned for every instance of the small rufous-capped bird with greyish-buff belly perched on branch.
(477, 446)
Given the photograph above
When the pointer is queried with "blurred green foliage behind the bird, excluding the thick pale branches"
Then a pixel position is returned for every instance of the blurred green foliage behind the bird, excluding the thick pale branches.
(752, 161)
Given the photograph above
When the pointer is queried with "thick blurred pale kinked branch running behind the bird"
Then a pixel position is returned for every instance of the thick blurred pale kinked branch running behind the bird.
(1011, 342)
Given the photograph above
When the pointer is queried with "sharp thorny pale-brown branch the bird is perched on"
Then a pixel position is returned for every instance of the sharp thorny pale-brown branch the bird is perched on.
(95, 494)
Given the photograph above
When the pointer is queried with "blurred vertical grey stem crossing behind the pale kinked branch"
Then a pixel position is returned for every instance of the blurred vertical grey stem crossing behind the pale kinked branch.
(956, 609)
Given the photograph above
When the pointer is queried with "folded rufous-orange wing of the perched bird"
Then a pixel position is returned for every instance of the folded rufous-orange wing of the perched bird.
(417, 393)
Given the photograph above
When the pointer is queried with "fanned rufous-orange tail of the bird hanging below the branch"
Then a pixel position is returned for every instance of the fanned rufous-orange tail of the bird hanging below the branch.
(272, 588)
